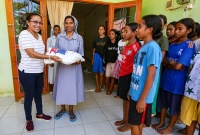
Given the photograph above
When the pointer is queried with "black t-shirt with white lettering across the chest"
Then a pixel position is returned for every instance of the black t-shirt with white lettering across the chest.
(111, 52)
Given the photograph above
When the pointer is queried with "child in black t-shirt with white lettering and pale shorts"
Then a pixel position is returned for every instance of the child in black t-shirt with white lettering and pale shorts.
(110, 58)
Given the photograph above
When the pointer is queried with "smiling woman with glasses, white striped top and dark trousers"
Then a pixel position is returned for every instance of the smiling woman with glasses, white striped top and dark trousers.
(31, 68)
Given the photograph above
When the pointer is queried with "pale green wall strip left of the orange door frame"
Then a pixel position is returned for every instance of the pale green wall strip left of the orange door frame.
(6, 80)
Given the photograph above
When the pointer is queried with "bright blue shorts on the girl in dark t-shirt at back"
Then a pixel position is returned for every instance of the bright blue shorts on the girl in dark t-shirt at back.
(98, 64)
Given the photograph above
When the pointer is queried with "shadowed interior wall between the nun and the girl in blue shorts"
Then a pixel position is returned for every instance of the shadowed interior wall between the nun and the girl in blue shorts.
(91, 22)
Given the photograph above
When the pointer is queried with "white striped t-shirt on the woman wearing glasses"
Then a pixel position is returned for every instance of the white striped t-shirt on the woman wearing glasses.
(28, 64)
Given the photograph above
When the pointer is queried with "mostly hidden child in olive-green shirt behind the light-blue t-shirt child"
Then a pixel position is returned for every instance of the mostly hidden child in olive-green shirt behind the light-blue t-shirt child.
(163, 42)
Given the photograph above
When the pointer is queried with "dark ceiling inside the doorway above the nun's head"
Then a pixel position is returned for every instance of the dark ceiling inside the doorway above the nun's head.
(81, 10)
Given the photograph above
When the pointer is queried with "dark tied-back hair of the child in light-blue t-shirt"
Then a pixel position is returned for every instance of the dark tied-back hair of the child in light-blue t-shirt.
(154, 21)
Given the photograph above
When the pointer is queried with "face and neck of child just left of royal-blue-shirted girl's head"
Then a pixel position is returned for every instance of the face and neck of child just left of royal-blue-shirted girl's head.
(170, 32)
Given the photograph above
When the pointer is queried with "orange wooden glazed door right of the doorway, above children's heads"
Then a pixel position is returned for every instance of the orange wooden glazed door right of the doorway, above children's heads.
(125, 6)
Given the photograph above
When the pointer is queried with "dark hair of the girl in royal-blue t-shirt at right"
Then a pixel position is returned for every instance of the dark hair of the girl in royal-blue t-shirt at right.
(189, 24)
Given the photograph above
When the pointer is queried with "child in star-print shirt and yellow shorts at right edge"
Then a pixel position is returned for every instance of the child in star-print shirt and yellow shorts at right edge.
(190, 108)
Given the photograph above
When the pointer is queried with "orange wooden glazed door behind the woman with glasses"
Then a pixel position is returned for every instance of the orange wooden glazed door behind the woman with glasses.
(16, 12)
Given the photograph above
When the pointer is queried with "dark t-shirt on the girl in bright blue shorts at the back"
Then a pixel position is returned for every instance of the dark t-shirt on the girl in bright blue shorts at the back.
(99, 45)
